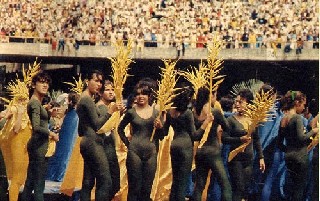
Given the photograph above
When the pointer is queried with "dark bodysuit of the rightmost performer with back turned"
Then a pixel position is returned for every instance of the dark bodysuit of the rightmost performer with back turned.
(296, 155)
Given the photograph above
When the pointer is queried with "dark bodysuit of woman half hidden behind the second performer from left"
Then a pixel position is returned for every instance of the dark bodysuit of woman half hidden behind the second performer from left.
(110, 150)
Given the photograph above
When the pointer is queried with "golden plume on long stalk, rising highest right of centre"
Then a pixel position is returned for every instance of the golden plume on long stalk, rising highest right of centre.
(215, 66)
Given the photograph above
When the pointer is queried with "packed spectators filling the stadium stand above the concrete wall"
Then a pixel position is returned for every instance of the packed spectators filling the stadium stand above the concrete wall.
(162, 23)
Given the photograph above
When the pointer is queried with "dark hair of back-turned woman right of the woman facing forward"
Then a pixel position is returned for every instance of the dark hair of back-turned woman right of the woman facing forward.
(183, 97)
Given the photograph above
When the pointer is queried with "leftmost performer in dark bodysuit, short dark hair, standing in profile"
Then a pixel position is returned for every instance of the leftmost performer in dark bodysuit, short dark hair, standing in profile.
(38, 144)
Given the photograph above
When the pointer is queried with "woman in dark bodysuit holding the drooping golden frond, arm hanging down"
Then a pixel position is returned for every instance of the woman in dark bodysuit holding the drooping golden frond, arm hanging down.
(240, 168)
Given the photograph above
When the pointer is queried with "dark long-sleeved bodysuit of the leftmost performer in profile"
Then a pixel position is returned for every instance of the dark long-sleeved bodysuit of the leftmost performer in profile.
(37, 149)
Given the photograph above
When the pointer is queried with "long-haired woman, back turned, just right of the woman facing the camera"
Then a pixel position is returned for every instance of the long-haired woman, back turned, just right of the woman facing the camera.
(181, 150)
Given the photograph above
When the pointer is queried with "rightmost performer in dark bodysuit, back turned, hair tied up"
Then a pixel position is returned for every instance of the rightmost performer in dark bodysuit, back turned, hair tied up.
(293, 132)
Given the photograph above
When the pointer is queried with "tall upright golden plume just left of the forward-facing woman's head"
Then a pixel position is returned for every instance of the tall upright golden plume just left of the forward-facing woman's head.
(120, 66)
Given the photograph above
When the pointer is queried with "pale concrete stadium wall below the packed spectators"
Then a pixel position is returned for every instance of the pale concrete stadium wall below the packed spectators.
(45, 50)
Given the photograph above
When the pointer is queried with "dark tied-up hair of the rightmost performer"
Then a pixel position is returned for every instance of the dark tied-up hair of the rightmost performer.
(290, 98)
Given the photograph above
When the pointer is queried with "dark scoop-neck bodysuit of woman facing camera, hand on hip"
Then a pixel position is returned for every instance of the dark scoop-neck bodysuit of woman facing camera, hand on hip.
(142, 154)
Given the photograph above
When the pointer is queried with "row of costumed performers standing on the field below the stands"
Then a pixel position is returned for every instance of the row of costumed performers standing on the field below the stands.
(286, 138)
